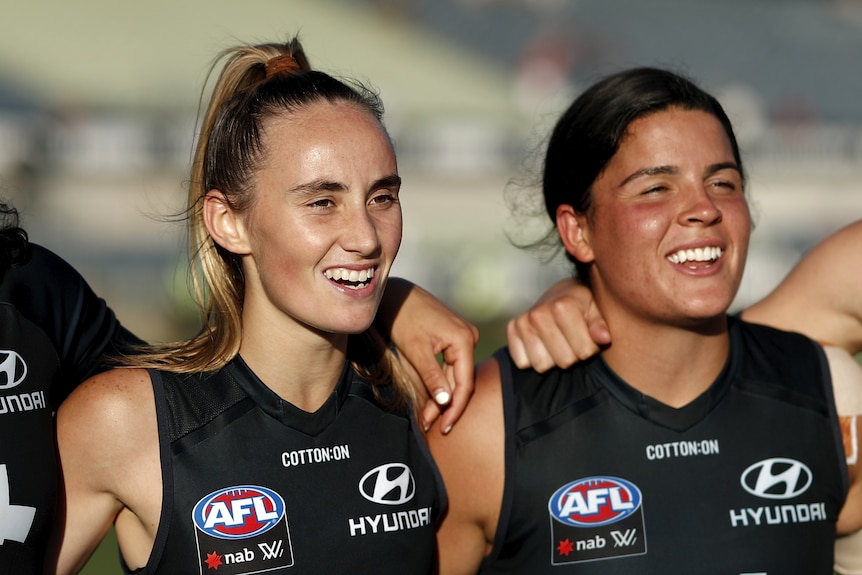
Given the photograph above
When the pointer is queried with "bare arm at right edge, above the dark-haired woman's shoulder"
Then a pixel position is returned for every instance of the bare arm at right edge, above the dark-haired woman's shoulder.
(822, 295)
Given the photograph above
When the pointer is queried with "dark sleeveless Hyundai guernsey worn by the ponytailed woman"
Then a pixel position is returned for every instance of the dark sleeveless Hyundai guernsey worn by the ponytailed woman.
(252, 484)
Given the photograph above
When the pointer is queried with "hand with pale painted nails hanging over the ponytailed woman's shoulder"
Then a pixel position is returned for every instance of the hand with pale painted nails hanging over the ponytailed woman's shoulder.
(422, 327)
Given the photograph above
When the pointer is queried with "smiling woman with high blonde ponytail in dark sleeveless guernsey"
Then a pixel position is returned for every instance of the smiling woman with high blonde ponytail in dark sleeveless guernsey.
(282, 437)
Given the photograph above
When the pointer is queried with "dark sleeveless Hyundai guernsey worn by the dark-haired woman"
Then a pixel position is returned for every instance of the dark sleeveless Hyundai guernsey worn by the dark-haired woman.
(748, 478)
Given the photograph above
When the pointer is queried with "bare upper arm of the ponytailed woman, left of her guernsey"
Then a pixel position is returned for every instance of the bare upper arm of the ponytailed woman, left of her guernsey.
(108, 447)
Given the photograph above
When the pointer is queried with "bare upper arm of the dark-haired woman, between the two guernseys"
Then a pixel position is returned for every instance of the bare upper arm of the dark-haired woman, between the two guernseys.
(471, 460)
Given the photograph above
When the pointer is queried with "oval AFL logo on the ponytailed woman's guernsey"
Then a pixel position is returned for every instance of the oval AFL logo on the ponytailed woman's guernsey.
(238, 512)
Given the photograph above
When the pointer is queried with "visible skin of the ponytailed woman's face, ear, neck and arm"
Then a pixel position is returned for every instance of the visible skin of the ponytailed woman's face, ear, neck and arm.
(324, 195)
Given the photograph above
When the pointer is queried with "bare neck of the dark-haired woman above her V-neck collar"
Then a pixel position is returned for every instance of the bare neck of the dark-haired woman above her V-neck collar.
(671, 364)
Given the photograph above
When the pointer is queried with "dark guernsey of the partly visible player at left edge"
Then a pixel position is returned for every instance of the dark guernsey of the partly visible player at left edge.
(54, 332)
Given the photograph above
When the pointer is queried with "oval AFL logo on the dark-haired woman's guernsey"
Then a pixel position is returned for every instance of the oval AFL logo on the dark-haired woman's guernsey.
(594, 501)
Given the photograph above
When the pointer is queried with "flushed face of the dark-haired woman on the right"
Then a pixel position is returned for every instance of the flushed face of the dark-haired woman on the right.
(671, 185)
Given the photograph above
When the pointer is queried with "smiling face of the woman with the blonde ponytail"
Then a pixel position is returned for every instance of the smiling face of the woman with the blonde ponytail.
(326, 196)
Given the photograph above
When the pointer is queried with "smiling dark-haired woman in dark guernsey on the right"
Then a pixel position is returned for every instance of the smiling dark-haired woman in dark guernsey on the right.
(694, 442)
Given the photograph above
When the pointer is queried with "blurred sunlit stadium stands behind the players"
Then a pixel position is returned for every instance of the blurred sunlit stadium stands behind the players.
(98, 101)
